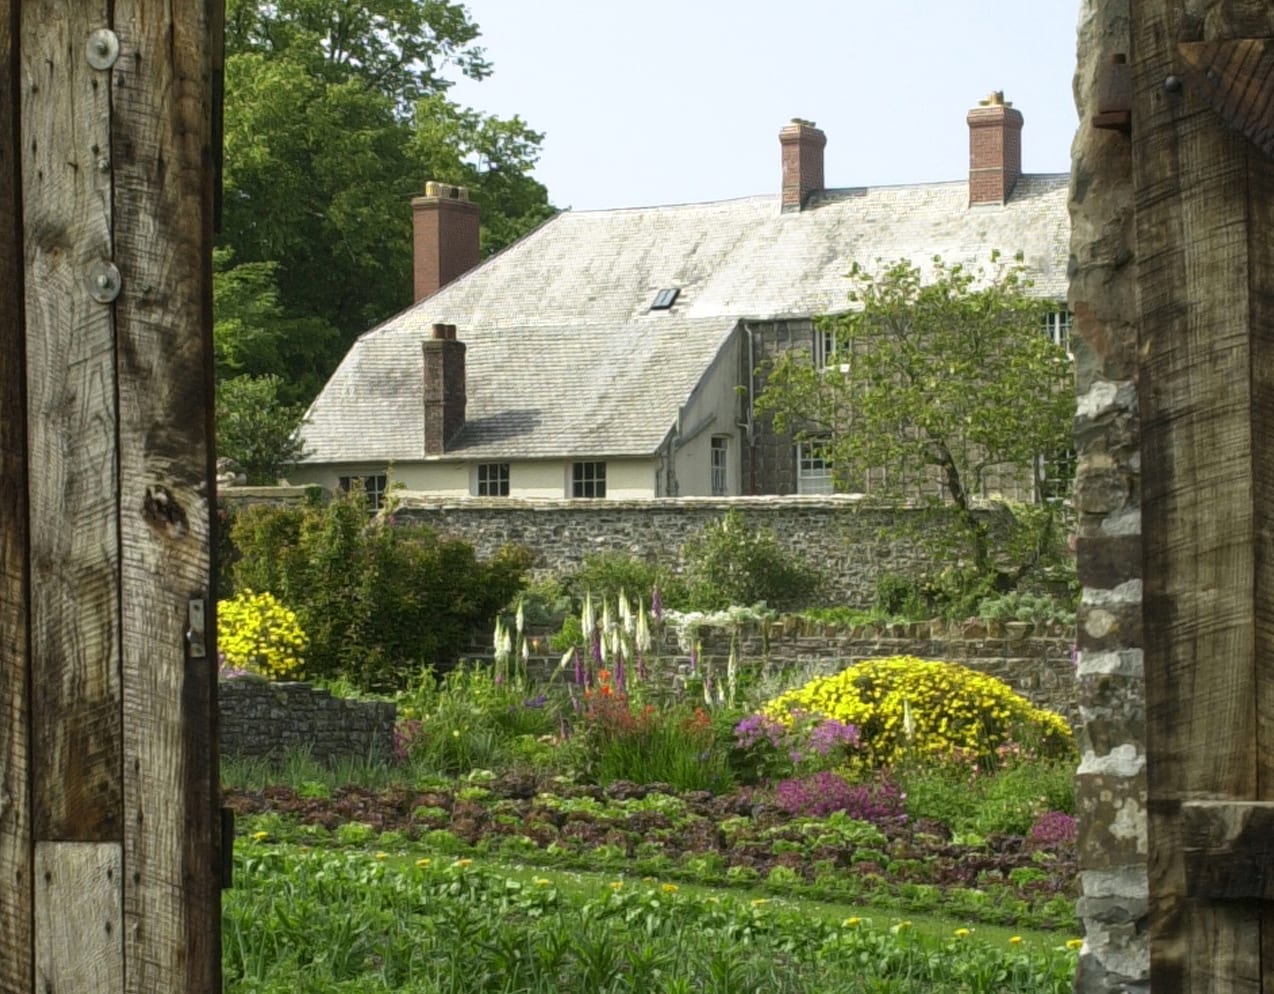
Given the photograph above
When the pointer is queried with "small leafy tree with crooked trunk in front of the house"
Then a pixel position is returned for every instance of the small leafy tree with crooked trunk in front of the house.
(932, 389)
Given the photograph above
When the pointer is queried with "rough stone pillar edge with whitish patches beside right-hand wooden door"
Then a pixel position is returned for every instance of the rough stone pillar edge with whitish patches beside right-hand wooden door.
(1110, 787)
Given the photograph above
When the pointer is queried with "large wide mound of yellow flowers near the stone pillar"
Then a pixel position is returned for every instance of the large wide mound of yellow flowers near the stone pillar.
(908, 708)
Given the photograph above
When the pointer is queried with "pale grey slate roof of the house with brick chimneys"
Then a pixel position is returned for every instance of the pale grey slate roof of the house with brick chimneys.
(566, 359)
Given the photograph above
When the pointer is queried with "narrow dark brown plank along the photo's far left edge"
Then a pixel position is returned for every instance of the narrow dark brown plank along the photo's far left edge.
(16, 848)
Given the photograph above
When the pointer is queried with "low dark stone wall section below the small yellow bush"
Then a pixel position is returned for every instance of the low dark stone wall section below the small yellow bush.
(264, 721)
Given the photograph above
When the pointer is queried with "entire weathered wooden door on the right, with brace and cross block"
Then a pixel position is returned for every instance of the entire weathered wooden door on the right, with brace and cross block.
(1203, 132)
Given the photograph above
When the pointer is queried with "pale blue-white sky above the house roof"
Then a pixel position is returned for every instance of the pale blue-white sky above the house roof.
(681, 101)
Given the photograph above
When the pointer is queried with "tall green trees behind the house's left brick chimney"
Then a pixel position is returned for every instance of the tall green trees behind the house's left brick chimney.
(337, 113)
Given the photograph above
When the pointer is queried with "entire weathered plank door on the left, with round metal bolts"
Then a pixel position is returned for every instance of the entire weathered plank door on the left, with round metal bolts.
(109, 832)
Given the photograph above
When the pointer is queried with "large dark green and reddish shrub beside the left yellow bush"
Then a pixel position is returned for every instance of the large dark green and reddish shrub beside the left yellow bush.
(378, 601)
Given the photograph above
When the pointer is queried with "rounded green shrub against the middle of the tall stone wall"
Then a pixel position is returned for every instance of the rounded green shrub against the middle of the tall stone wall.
(732, 563)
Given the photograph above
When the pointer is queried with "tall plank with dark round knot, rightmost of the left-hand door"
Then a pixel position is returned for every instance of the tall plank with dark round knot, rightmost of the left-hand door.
(162, 160)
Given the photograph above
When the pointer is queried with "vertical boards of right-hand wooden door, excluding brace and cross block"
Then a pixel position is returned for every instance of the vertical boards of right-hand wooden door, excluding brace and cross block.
(1201, 402)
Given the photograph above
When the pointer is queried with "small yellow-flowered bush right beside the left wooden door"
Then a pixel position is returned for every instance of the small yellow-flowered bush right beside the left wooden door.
(259, 634)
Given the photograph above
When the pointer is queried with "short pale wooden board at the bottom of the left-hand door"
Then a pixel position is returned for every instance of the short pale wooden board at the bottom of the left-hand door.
(80, 942)
